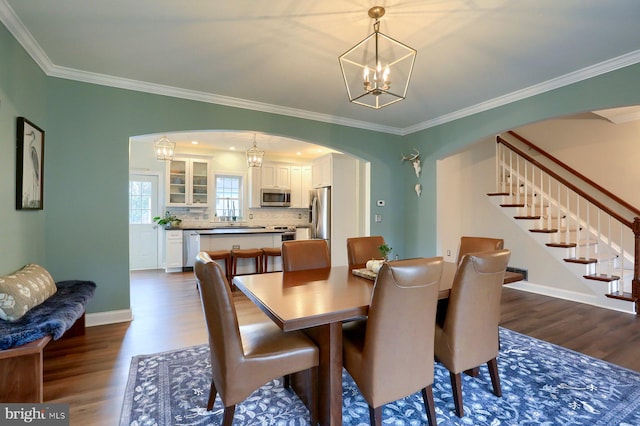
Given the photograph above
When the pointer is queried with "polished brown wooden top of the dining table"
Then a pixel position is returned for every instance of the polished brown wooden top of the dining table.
(303, 299)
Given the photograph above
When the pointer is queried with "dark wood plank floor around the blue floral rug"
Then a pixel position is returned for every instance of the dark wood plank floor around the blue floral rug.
(90, 372)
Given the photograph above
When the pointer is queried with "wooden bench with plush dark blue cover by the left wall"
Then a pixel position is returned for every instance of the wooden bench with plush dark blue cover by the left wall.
(22, 342)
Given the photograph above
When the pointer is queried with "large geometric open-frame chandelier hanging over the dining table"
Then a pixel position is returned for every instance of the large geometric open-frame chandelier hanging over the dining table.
(377, 70)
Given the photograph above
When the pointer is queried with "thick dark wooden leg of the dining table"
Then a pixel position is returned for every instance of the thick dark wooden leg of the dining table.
(329, 340)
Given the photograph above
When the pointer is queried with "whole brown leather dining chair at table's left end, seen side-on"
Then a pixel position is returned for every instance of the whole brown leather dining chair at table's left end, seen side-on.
(243, 358)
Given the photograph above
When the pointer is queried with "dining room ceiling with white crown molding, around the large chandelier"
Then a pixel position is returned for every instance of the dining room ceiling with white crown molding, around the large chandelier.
(282, 56)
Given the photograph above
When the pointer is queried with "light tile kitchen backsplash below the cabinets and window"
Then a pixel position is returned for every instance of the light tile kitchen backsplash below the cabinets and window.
(257, 217)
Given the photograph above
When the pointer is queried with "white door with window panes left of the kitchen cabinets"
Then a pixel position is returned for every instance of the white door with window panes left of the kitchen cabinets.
(144, 234)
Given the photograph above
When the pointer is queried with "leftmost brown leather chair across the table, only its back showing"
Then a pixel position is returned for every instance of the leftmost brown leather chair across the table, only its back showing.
(300, 255)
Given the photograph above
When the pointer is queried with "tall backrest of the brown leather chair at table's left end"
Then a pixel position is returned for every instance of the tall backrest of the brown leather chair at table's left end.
(221, 319)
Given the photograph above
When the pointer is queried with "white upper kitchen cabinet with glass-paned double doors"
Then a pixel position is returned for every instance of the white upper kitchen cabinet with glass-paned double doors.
(188, 182)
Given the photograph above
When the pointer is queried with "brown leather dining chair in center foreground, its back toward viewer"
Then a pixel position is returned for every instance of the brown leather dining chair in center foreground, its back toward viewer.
(390, 354)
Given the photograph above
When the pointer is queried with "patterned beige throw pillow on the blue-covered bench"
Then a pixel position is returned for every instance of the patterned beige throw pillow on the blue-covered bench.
(23, 290)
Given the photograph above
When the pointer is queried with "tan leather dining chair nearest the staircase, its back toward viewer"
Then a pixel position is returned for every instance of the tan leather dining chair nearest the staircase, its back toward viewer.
(469, 337)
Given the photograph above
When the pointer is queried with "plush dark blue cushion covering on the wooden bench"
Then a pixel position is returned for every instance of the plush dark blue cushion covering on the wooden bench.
(53, 317)
